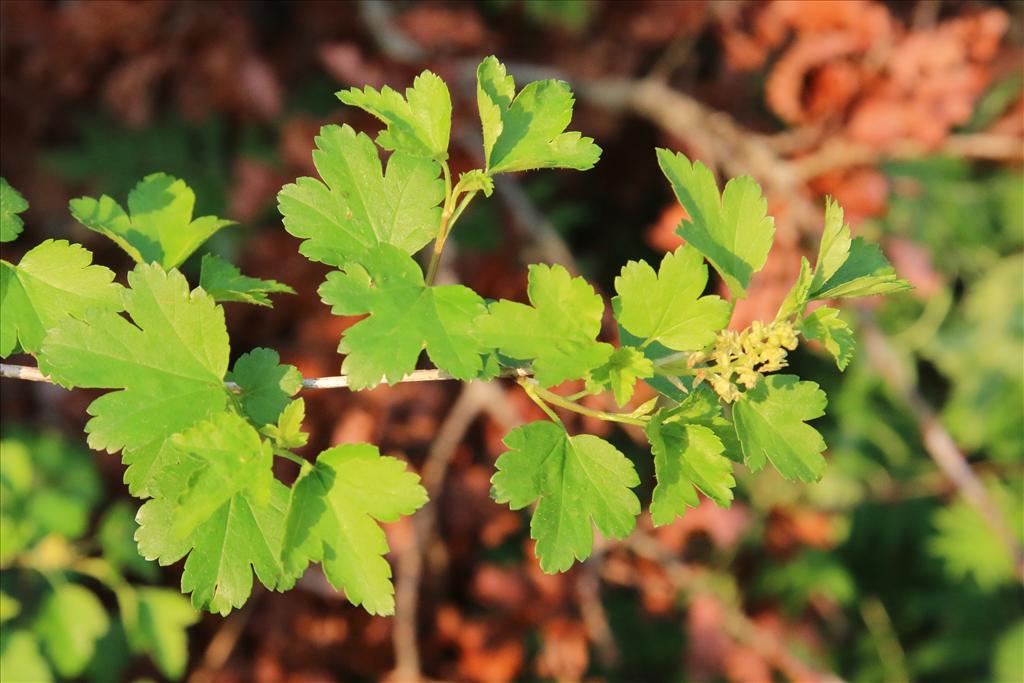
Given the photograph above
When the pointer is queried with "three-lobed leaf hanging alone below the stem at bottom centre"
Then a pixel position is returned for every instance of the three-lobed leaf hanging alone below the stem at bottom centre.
(577, 481)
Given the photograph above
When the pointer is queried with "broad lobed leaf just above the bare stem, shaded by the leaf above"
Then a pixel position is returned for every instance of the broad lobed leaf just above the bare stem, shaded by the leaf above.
(406, 316)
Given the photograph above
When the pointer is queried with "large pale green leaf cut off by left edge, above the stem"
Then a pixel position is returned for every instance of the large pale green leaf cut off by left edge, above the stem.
(54, 282)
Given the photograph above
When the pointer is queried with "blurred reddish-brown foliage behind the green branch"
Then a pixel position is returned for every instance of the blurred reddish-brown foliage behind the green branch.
(858, 72)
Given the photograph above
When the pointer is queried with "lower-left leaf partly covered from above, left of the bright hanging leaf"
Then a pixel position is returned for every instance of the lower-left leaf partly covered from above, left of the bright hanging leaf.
(242, 536)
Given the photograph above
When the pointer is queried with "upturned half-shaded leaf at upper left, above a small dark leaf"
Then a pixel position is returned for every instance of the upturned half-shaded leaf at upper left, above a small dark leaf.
(159, 227)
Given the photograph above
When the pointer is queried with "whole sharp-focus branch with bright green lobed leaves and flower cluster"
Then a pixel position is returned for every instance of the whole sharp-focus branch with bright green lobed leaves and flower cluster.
(199, 438)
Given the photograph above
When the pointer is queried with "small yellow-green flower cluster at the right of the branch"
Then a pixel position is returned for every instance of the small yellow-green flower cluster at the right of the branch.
(743, 358)
